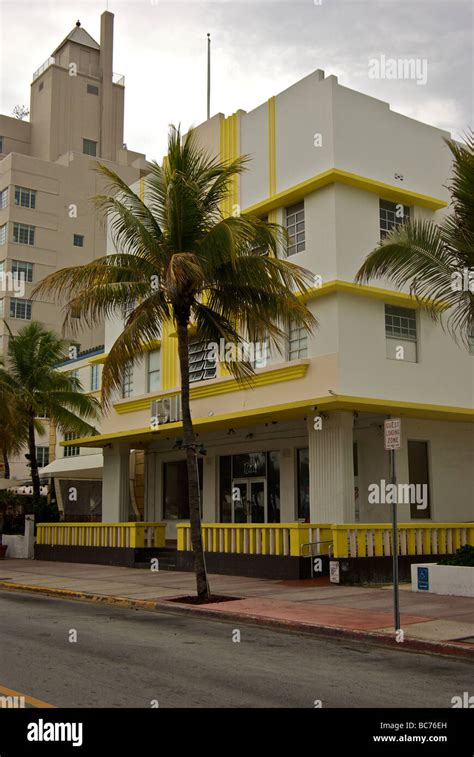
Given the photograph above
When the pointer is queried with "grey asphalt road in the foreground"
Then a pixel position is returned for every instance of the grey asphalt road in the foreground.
(128, 658)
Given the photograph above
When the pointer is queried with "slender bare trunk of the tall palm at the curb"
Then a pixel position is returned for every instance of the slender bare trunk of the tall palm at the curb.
(191, 460)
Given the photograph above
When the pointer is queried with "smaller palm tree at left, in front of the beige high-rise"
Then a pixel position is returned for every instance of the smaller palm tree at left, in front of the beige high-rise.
(37, 388)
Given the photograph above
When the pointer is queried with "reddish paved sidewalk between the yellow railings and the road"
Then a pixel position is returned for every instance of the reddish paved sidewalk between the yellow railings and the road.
(430, 622)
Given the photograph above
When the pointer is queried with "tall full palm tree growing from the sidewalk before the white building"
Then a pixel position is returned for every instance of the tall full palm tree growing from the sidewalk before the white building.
(180, 260)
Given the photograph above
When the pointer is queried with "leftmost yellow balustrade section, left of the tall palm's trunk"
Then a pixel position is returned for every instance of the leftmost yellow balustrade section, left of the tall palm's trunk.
(135, 534)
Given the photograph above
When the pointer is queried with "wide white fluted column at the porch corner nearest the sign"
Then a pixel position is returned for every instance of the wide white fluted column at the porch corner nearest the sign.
(331, 469)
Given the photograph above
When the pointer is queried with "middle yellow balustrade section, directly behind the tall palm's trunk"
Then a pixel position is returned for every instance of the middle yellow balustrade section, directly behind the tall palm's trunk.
(257, 538)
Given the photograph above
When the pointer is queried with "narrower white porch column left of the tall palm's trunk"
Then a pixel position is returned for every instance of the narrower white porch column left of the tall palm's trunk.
(116, 484)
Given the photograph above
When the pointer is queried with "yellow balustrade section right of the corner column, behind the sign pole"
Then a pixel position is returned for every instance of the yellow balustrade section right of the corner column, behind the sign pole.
(375, 539)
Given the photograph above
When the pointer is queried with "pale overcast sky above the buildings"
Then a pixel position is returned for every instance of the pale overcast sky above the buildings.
(258, 49)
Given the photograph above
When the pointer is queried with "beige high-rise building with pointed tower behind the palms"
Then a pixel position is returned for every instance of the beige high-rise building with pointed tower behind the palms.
(47, 179)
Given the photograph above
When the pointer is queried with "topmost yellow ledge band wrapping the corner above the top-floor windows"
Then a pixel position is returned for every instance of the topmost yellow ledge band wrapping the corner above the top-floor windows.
(338, 176)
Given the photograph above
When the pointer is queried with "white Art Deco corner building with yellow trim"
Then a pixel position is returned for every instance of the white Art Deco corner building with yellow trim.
(306, 442)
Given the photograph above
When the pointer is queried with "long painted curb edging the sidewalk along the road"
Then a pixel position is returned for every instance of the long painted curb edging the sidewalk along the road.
(449, 649)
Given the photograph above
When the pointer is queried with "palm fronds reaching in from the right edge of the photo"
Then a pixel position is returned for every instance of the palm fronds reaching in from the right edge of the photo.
(437, 260)
